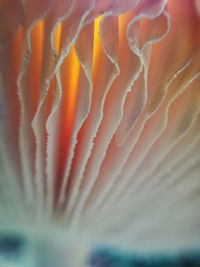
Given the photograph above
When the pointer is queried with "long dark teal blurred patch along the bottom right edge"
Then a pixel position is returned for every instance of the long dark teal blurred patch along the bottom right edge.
(106, 257)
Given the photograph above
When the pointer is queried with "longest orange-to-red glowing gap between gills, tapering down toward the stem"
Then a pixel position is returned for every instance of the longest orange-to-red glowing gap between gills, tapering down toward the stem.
(70, 77)
